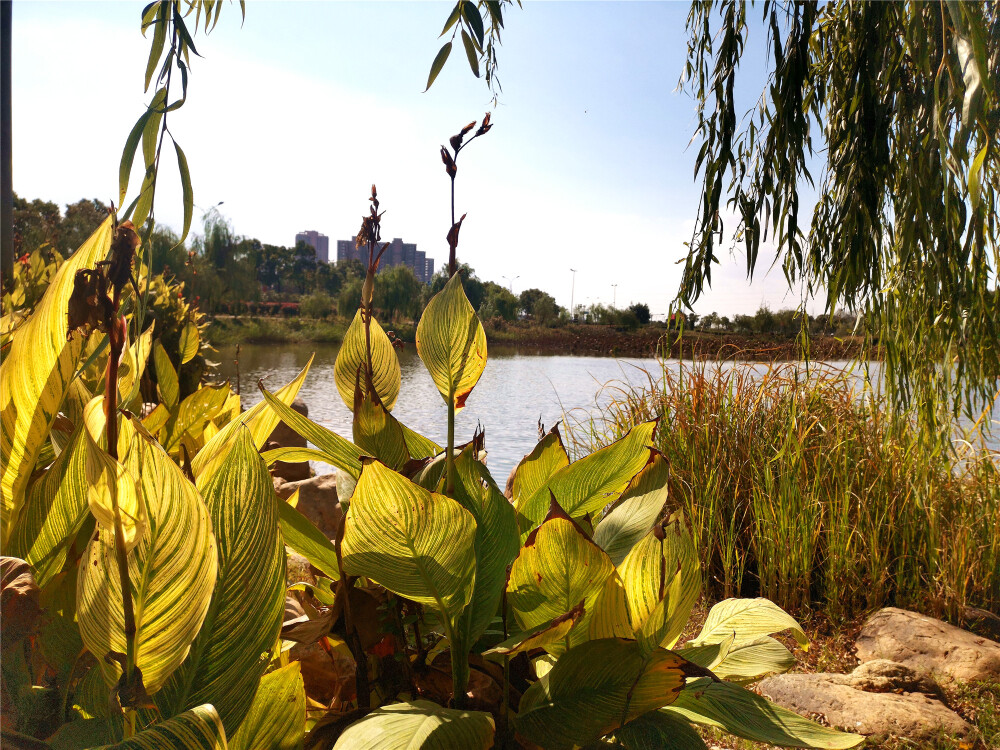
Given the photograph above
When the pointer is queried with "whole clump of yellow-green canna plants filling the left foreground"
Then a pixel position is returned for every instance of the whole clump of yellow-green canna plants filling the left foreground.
(146, 579)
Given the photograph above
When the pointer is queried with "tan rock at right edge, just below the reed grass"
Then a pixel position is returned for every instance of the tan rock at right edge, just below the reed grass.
(929, 646)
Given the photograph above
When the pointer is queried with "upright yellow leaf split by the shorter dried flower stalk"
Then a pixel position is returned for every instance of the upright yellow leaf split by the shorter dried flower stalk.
(353, 355)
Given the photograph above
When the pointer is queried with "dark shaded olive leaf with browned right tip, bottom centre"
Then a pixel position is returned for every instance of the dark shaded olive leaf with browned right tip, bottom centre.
(596, 687)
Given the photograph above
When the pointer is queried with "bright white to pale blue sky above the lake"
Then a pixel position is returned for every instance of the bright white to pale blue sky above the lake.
(293, 114)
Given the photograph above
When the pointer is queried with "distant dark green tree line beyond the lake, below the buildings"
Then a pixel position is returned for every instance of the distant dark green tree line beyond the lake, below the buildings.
(225, 273)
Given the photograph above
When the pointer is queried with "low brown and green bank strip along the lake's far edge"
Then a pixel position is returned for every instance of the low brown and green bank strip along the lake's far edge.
(577, 339)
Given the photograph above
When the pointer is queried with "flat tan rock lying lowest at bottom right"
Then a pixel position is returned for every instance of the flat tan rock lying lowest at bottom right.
(831, 699)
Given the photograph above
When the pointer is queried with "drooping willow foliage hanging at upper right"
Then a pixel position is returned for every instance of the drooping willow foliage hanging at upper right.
(898, 103)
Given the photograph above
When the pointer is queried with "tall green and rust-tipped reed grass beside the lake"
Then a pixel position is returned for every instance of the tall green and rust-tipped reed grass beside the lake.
(807, 491)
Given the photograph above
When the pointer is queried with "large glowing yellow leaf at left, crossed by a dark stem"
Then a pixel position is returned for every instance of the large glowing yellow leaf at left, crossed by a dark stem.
(172, 573)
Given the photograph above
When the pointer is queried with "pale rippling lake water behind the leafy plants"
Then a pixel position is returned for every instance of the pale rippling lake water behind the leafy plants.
(514, 393)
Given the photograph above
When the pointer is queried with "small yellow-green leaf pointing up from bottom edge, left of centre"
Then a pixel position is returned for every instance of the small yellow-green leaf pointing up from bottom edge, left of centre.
(277, 717)
